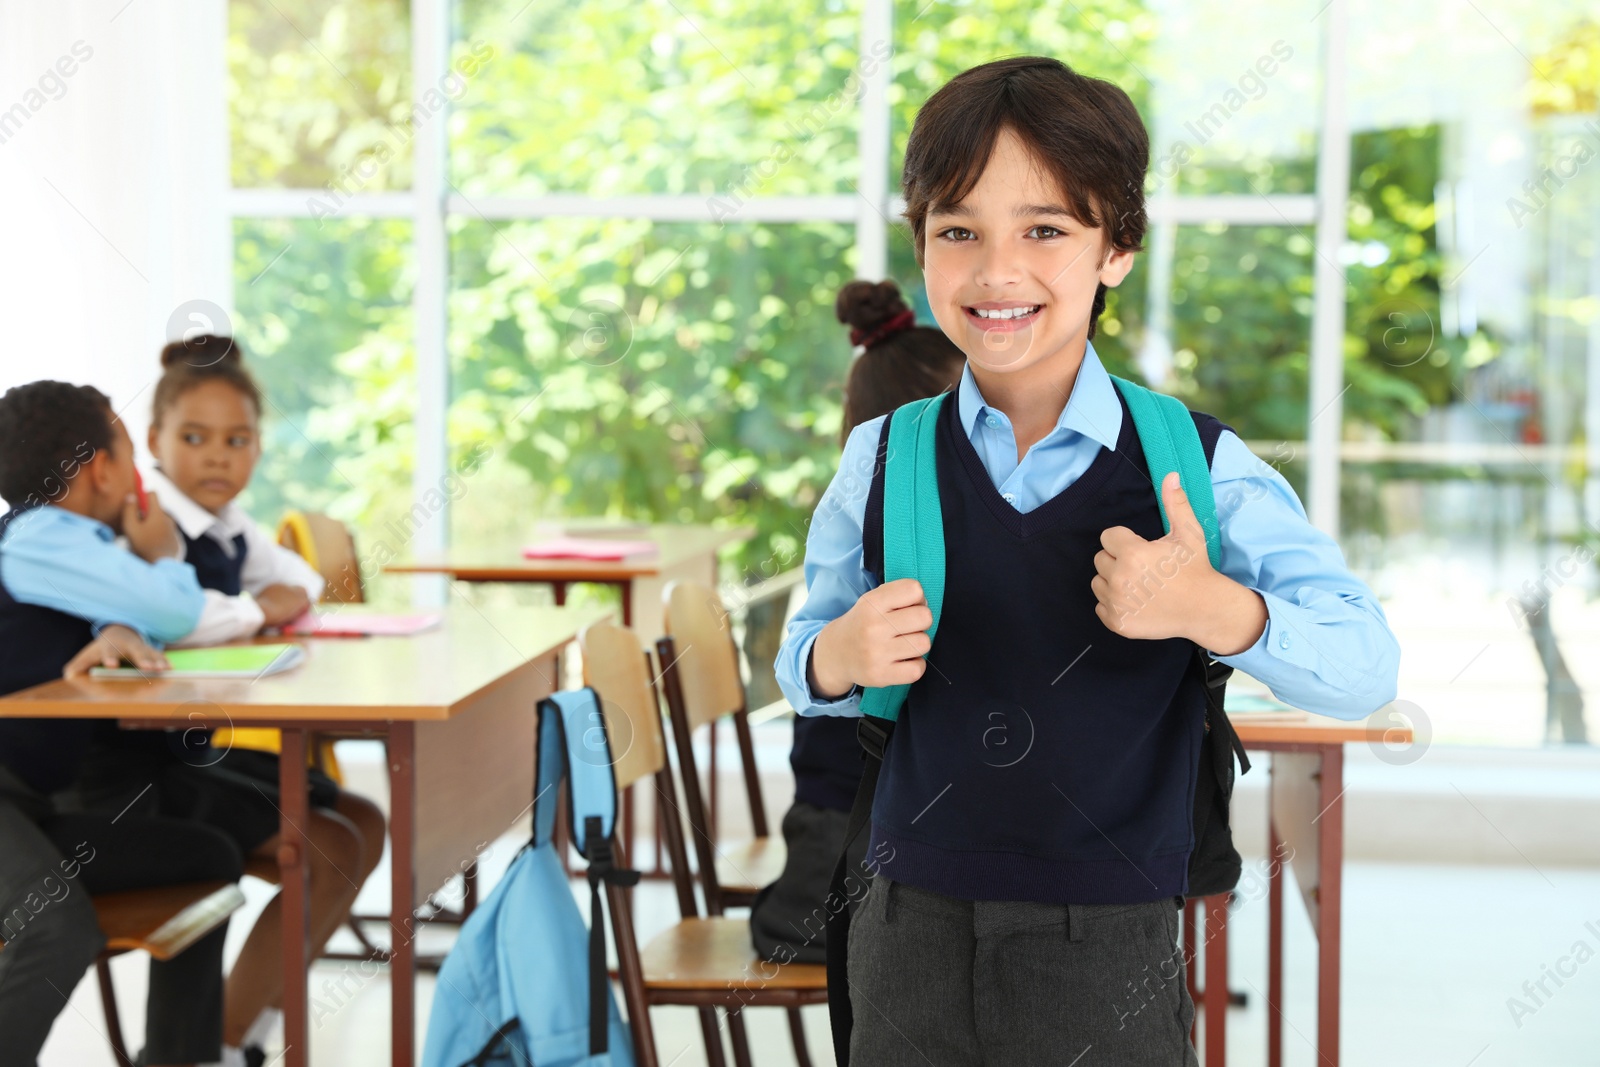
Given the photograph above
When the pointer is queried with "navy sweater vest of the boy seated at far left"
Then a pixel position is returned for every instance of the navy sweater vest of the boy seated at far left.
(36, 644)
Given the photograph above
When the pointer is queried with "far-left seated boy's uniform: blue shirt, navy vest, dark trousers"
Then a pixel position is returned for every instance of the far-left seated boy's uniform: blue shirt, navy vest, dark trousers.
(62, 580)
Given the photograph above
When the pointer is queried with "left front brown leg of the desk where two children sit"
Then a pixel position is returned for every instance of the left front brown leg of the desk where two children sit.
(295, 892)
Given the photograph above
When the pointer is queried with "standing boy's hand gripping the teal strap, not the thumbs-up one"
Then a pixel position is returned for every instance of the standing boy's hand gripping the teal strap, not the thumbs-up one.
(879, 642)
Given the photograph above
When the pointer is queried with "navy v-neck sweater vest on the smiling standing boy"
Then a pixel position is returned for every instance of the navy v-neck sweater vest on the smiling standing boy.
(1041, 757)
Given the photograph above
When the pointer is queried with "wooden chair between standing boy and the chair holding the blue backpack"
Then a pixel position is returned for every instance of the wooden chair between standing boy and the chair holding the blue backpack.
(703, 687)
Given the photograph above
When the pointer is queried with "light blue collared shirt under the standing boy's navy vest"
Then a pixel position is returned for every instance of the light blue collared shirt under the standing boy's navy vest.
(1326, 649)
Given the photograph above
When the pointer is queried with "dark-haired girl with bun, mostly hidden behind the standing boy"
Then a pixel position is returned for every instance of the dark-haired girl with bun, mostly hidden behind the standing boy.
(898, 362)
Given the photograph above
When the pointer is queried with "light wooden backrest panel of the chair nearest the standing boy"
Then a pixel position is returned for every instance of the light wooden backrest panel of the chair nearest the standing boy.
(706, 655)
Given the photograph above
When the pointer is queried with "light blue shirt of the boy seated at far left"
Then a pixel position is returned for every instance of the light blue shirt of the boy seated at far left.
(70, 562)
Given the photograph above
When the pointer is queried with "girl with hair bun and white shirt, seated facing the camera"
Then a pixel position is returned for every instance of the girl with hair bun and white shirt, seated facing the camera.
(206, 438)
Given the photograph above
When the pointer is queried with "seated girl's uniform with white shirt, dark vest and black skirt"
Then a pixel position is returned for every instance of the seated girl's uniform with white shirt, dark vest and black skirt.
(231, 789)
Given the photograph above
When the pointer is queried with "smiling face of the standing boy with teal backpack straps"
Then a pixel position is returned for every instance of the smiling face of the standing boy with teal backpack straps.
(1012, 247)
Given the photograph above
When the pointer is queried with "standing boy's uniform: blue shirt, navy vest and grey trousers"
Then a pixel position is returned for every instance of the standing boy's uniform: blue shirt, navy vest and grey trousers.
(1034, 815)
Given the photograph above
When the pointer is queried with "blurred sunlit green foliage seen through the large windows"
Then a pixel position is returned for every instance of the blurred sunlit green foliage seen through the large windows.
(692, 372)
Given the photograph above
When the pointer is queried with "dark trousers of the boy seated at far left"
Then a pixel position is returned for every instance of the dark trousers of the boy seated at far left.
(50, 865)
